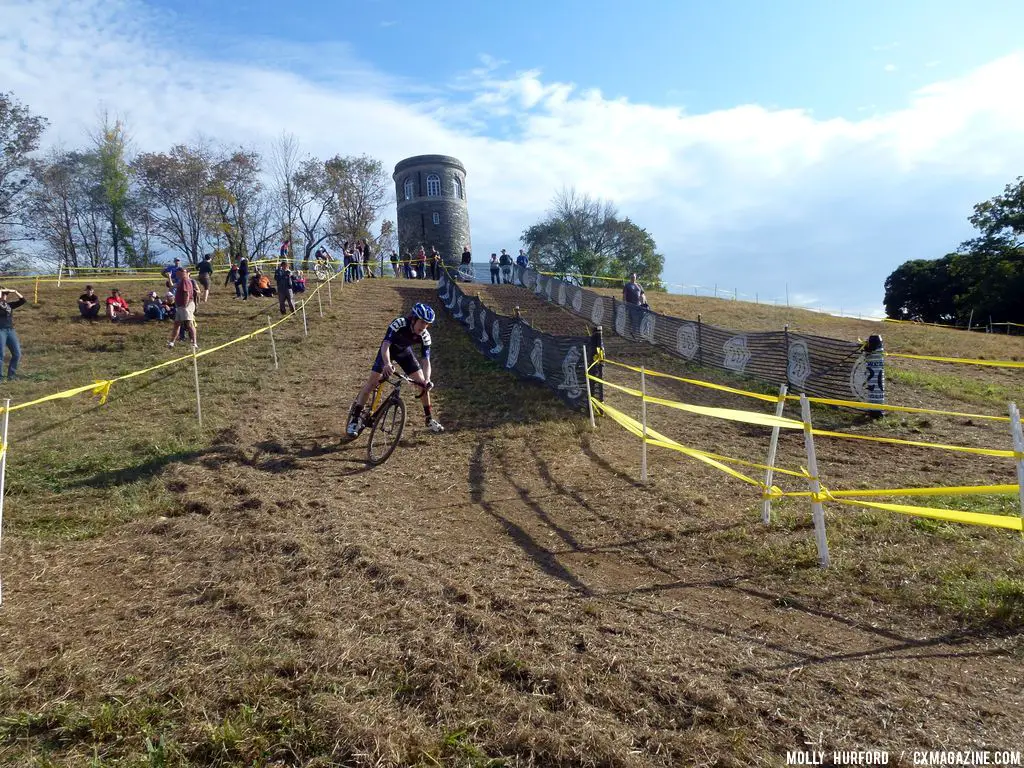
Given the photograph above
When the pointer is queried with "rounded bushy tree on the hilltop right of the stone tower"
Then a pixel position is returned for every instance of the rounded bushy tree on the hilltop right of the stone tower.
(584, 236)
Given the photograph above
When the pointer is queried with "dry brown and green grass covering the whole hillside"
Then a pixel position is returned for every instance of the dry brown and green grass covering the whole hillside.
(506, 594)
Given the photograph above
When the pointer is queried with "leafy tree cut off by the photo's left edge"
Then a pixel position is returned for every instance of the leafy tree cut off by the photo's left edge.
(20, 134)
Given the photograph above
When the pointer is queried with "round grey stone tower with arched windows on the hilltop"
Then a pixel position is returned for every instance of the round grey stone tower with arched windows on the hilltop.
(433, 211)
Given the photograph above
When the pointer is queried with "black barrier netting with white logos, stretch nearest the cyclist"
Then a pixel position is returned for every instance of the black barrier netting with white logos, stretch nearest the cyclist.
(558, 362)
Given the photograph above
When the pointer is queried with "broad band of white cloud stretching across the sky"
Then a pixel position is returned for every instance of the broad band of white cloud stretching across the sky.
(749, 197)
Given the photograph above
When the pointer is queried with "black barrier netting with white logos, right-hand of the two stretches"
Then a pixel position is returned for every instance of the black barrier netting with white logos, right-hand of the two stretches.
(818, 366)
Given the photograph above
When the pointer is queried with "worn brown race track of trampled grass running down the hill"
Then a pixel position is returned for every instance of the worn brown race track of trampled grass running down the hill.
(506, 589)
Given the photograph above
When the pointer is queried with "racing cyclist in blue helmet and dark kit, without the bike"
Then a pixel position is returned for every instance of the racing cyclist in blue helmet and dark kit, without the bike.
(398, 348)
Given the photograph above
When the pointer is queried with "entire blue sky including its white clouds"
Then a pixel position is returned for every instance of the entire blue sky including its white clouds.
(765, 146)
